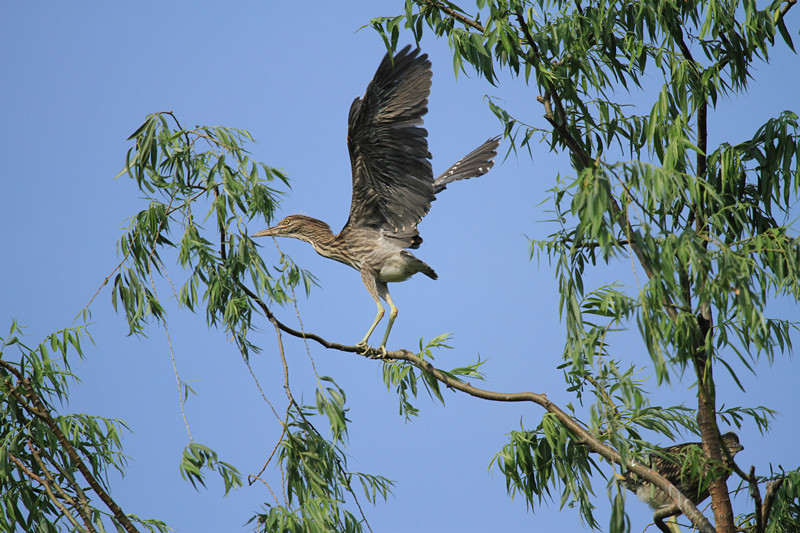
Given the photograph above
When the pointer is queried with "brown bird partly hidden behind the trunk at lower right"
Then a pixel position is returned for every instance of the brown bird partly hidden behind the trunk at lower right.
(675, 463)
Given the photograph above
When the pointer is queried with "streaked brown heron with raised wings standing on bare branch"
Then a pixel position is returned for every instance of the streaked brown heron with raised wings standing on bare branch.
(393, 184)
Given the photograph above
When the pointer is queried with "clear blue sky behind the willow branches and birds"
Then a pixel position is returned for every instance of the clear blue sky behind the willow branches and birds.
(78, 78)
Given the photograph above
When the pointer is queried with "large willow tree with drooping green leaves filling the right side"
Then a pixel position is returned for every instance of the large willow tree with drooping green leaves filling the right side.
(705, 217)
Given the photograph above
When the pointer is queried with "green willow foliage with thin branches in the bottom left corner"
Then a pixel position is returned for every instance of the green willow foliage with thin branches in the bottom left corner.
(53, 468)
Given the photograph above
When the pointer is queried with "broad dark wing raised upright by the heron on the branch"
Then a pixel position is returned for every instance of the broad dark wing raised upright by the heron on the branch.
(392, 176)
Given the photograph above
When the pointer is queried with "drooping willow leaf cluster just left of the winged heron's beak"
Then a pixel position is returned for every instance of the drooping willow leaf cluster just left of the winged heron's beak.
(181, 171)
